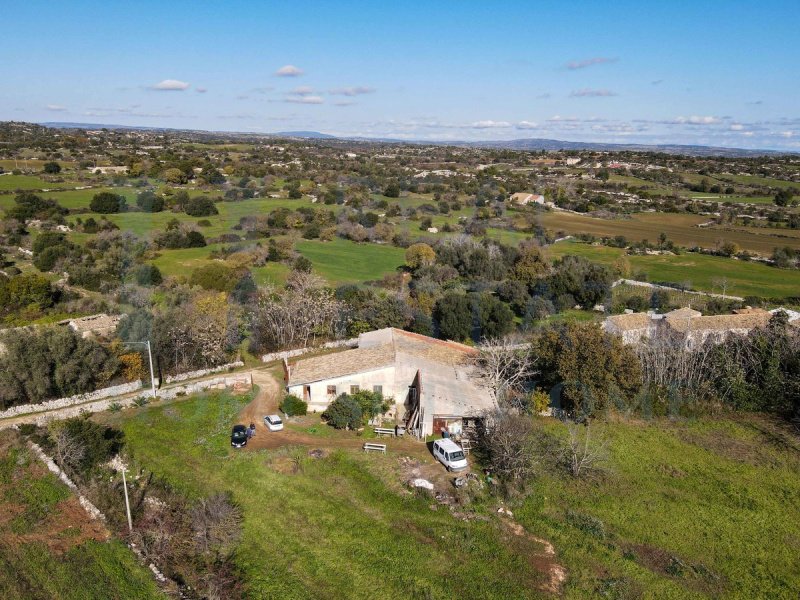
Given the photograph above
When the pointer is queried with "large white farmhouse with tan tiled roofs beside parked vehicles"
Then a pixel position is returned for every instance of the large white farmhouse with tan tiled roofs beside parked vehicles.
(429, 380)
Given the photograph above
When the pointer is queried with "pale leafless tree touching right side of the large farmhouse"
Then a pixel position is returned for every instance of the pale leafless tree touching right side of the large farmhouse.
(503, 366)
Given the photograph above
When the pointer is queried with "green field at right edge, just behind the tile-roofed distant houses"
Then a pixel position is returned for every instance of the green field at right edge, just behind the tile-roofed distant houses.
(699, 271)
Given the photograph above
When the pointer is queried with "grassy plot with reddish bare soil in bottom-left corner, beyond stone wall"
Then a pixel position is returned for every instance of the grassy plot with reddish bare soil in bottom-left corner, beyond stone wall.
(49, 548)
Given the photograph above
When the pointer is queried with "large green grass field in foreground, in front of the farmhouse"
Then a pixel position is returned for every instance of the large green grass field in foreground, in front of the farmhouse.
(686, 509)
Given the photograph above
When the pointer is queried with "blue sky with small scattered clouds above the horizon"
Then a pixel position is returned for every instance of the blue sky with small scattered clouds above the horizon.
(719, 73)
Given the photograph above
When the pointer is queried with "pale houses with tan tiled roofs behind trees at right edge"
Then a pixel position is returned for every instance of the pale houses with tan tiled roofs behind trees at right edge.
(690, 325)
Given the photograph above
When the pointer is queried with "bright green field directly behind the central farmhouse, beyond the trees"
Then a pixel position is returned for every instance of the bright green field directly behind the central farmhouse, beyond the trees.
(344, 261)
